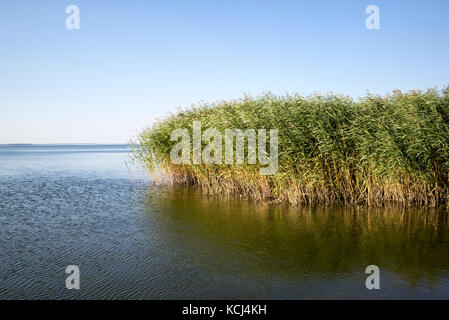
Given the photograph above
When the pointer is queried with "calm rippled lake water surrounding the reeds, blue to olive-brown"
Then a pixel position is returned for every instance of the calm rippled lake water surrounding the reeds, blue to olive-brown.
(63, 205)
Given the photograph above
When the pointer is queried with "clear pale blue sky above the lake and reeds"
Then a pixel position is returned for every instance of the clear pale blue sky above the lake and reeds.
(132, 62)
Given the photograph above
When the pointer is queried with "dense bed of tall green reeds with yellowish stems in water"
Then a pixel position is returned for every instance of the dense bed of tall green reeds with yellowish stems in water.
(332, 149)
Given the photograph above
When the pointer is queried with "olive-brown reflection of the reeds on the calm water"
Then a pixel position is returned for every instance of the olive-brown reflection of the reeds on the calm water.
(310, 245)
